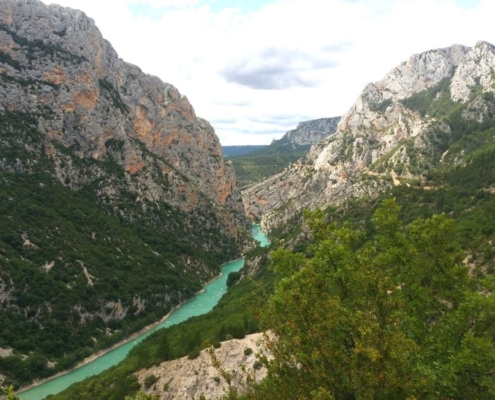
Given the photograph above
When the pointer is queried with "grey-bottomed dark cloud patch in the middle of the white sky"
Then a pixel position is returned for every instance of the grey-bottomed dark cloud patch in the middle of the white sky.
(278, 68)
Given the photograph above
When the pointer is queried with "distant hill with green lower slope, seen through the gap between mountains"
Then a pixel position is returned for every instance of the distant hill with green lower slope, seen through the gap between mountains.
(271, 159)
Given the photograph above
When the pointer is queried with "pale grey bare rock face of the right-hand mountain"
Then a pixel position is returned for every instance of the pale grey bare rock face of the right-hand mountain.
(380, 139)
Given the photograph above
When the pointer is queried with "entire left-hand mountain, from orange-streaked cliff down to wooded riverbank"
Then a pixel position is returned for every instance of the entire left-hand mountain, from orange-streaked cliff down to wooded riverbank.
(116, 203)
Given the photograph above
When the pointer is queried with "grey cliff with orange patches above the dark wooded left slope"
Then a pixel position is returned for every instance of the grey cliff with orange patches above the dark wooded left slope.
(56, 65)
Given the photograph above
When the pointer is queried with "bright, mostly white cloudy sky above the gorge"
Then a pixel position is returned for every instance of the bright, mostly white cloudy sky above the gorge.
(256, 68)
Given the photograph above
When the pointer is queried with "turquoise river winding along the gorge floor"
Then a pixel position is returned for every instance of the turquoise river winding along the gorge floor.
(201, 304)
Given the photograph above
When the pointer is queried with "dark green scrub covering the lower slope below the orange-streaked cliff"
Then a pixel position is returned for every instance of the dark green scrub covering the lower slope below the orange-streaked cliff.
(69, 261)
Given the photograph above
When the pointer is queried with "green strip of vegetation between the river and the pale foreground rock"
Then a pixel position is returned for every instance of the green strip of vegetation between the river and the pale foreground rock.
(236, 315)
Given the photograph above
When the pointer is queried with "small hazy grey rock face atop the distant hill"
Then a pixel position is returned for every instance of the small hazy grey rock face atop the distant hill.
(308, 133)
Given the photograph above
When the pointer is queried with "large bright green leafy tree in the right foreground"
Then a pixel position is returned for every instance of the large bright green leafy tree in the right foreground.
(392, 316)
